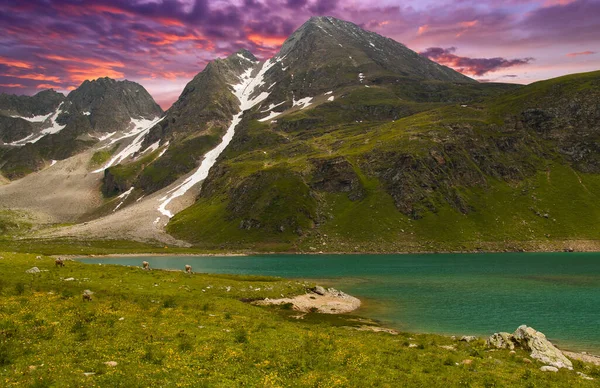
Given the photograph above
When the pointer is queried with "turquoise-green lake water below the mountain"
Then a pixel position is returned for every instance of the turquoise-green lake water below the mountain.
(556, 293)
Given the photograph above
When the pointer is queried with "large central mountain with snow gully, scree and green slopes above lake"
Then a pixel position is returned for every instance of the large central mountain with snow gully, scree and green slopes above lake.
(343, 141)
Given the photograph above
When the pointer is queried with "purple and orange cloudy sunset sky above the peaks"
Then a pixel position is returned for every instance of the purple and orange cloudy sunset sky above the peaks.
(163, 44)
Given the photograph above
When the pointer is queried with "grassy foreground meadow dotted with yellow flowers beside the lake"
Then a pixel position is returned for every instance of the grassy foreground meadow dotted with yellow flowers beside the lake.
(172, 329)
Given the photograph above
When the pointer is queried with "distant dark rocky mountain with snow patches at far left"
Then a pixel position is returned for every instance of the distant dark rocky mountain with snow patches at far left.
(49, 126)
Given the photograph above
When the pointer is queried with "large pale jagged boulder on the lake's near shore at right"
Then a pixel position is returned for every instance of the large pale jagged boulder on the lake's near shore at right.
(533, 341)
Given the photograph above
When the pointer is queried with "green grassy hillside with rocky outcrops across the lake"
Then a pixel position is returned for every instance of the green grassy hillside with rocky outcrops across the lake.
(371, 171)
